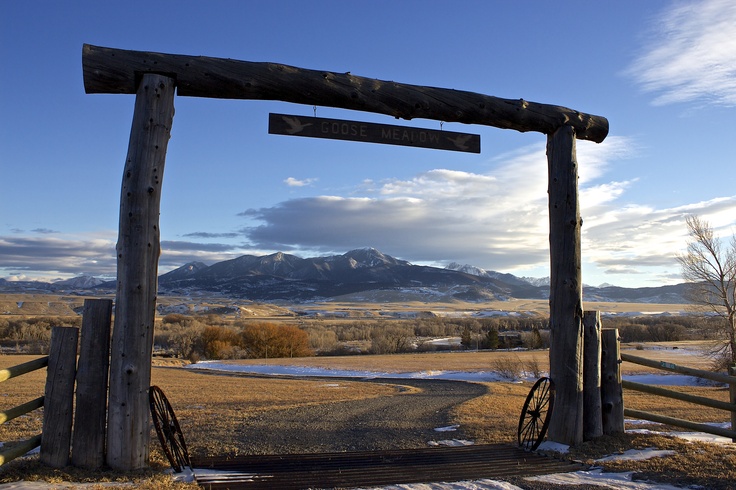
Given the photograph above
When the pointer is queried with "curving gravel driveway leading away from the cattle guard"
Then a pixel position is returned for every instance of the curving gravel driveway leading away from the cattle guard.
(406, 420)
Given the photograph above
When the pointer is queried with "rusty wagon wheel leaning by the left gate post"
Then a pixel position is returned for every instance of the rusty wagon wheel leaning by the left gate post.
(168, 430)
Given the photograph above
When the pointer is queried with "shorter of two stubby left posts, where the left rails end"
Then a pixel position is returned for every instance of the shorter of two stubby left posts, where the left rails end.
(58, 407)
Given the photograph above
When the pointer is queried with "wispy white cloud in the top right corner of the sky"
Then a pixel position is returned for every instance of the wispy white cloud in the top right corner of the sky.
(691, 54)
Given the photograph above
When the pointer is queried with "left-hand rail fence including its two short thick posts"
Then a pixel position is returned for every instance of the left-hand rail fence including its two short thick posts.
(90, 373)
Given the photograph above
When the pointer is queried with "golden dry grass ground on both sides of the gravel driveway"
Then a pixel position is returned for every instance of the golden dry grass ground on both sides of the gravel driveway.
(210, 408)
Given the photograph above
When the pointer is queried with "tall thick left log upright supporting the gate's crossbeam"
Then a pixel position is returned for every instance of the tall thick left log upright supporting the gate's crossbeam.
(138, 250)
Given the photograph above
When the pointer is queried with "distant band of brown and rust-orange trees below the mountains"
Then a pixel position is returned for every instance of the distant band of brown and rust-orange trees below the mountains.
(216, 337)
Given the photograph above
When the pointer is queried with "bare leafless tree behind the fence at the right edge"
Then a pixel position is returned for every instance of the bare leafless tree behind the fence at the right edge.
(710, 268)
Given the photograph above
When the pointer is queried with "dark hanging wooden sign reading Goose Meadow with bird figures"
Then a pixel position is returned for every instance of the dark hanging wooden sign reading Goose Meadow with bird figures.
(339, 129)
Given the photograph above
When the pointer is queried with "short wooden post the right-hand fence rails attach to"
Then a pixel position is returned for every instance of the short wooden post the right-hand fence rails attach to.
(612, 396)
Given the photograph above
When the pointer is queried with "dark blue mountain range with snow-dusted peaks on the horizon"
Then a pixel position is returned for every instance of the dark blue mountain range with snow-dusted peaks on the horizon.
(351, 276)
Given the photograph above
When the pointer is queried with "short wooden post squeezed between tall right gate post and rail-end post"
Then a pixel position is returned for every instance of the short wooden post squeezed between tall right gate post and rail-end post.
(592, 414)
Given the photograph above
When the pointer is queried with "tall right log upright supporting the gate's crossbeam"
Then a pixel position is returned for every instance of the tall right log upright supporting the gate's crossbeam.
(566, 294)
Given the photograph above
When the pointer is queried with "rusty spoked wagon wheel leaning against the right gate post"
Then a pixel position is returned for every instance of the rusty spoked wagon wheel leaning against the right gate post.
(535, 415)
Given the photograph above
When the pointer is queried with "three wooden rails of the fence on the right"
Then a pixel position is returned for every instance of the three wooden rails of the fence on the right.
(699, 400)
